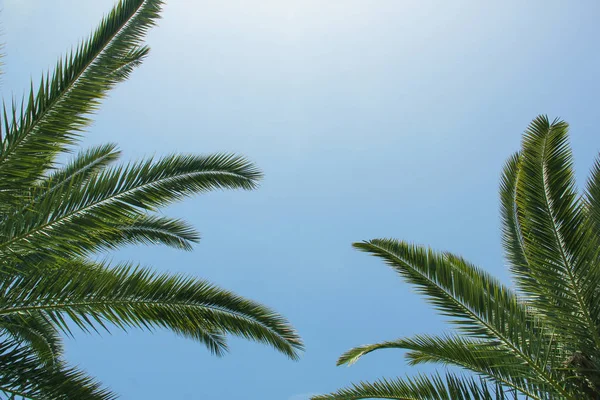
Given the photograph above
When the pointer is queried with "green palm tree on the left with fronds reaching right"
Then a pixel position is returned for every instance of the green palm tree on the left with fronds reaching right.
(54, 218)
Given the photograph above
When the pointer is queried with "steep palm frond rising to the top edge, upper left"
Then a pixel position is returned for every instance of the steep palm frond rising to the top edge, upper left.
(54, 114)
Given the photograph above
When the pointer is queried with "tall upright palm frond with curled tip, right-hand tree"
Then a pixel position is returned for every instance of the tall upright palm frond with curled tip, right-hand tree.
(554, 235)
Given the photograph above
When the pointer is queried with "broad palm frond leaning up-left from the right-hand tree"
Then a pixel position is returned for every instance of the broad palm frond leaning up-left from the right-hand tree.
(477, 303)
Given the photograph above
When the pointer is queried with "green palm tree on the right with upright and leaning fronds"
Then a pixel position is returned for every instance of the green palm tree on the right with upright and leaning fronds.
(540, 340)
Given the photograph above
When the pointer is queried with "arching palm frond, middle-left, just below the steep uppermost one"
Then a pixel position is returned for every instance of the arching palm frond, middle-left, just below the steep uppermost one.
(74, 214)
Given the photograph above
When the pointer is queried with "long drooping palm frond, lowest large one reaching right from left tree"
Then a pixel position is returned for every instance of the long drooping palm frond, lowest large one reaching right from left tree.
(93, 296)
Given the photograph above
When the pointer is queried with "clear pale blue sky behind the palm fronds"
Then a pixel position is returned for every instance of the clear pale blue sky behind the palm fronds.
(370, 118)
